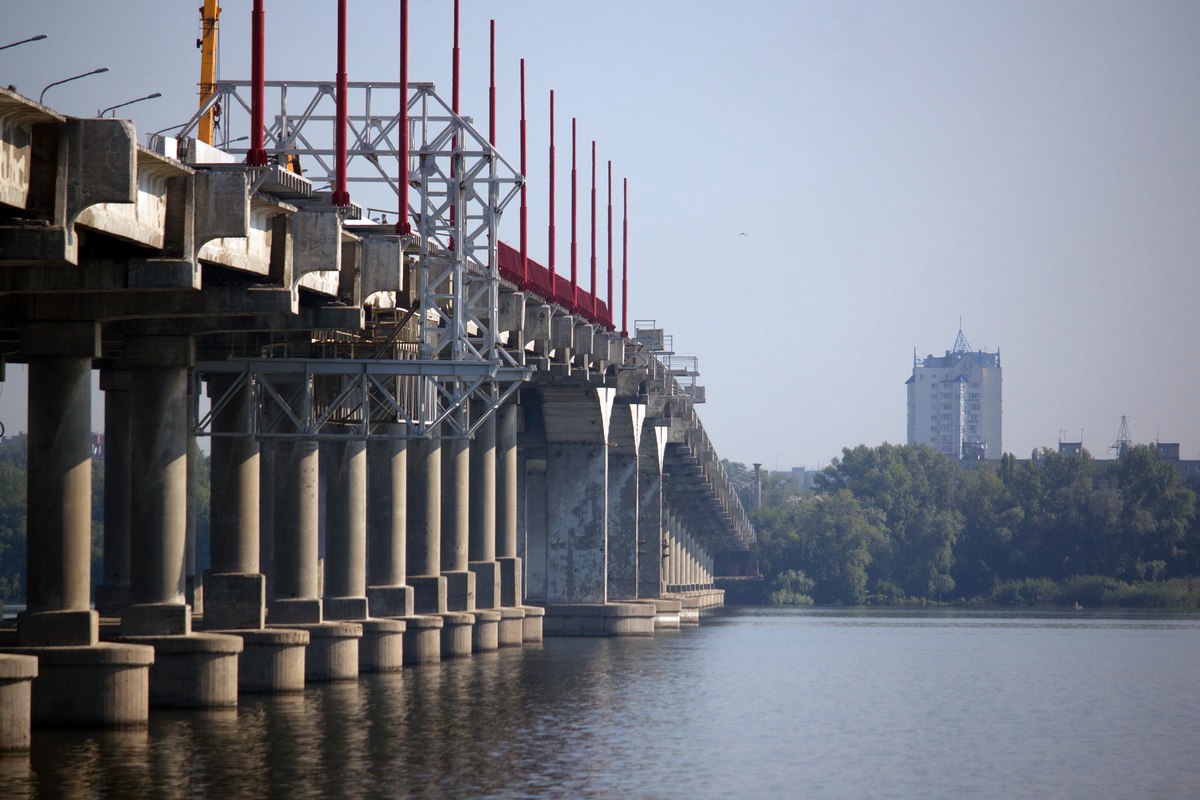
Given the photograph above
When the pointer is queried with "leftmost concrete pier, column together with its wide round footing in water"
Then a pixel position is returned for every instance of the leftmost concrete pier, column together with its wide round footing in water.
(80, 681)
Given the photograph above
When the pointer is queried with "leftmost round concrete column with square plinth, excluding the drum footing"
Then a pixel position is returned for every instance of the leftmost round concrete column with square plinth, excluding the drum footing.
(58, 573)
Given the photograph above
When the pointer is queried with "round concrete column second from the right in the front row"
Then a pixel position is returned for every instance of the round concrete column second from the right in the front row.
(482, 546)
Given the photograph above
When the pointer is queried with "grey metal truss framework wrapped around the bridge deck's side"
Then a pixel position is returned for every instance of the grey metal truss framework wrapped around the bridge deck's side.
(463, 187)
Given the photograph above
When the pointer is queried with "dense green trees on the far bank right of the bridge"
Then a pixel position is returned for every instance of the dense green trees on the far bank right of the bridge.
(903, 524)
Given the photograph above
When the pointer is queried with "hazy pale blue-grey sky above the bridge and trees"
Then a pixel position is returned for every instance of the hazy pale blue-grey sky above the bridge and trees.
(1033, 167)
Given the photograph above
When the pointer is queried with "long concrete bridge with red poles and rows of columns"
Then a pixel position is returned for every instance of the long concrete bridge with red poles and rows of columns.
(424, 443)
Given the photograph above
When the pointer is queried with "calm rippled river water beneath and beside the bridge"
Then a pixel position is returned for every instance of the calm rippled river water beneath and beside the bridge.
(754, 703)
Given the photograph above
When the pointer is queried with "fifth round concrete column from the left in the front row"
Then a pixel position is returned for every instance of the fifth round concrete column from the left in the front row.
(346, 530)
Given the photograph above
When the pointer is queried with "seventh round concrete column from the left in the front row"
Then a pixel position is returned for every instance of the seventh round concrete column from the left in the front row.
(424, 543)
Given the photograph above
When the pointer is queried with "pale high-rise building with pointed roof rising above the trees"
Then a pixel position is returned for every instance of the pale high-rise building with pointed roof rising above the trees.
(955, 402)
